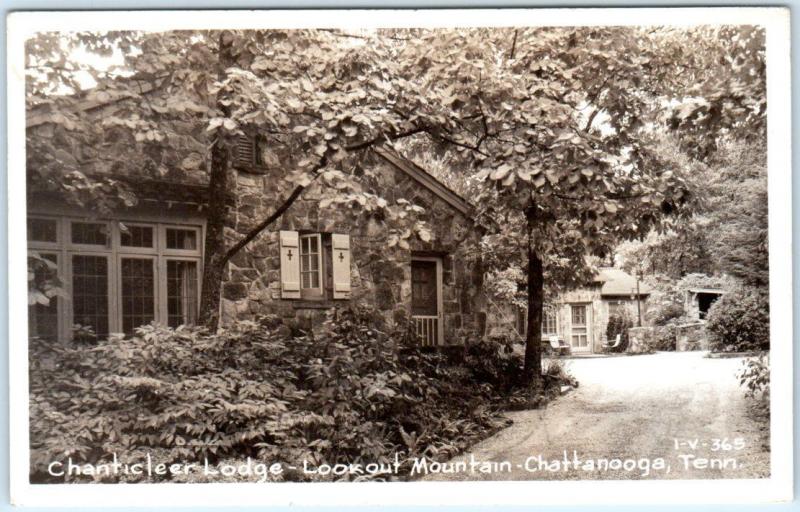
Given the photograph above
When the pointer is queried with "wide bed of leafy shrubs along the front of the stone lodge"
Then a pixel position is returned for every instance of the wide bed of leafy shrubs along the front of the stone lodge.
(347, 393)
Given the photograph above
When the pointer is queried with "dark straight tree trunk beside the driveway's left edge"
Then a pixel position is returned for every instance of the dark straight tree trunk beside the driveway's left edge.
(533, 342)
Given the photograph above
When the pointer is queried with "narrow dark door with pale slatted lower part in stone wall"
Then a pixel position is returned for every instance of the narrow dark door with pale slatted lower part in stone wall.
(426, 300)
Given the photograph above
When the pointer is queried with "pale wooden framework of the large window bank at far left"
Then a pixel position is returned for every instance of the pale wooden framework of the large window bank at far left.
(114, 252)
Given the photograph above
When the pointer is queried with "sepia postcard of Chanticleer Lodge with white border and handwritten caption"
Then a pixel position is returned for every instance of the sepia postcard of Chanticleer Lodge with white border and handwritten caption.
(417, 254)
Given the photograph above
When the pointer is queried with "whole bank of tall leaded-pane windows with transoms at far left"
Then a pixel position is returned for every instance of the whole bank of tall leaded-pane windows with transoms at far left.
(117, 275)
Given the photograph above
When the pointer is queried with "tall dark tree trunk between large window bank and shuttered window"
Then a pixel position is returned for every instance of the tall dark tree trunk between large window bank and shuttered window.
(217, 208)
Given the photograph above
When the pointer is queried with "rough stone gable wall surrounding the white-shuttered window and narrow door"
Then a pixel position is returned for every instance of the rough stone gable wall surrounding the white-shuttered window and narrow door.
(380, 276)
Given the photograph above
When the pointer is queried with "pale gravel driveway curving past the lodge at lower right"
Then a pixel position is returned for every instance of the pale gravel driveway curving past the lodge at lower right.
(626, 416)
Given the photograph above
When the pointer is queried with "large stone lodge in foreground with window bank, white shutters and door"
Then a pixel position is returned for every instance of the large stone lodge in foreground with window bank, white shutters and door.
(143, 263)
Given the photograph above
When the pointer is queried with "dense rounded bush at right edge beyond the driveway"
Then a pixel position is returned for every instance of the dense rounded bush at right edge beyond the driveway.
(739, 321)
